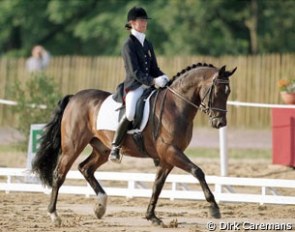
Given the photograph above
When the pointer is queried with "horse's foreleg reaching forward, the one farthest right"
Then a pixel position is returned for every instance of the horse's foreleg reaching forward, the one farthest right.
(179, 159)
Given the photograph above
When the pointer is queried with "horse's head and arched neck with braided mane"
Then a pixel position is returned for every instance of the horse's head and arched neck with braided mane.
(205, 87)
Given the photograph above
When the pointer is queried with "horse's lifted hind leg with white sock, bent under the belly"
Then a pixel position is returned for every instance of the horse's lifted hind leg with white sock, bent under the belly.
(98, 157)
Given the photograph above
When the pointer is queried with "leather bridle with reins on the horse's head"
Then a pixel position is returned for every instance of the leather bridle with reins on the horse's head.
(203, 107)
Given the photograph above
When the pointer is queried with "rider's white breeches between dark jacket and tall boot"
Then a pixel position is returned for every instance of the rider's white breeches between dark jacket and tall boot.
(131, 100)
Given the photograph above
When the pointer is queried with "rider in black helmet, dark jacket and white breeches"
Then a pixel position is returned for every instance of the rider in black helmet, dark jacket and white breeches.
(142, 72)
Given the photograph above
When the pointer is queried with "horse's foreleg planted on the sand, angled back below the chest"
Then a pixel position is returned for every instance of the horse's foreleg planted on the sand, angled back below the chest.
(157, 188)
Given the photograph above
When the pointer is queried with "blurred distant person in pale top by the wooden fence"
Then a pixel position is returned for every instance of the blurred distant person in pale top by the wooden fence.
(39, 59)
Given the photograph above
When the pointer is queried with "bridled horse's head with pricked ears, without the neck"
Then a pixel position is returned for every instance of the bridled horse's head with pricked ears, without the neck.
(214, 93)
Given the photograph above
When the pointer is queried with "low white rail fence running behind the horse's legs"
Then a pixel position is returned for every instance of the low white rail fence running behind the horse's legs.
(132, 185)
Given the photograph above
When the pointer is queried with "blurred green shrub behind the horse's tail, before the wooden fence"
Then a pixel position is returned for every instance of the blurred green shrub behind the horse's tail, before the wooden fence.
(36, 101)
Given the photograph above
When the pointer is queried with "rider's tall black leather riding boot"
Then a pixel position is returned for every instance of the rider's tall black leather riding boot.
(118, 138)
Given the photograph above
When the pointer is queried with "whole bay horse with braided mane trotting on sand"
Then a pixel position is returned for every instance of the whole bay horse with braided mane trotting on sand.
(73, 126)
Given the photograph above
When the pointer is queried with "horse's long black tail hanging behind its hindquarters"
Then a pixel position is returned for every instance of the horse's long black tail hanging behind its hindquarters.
(46, 157)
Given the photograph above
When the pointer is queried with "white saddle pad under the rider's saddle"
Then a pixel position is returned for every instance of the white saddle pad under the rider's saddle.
(108, 115)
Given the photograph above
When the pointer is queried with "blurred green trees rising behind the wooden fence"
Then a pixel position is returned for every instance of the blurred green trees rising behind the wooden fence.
(186, 27)
